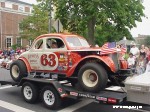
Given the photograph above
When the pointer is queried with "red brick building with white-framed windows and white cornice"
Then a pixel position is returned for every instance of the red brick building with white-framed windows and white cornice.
(12, 12)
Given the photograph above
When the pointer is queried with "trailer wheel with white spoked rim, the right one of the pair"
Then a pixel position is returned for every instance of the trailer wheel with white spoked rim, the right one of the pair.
(51, 98)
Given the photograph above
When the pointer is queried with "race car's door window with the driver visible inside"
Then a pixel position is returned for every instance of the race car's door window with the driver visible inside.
(54, 43)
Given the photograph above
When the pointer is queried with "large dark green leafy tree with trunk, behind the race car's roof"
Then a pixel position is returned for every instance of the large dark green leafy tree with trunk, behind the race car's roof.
(118, 15)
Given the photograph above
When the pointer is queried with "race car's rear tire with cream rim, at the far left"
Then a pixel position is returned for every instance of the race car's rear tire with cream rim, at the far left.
(18, 70)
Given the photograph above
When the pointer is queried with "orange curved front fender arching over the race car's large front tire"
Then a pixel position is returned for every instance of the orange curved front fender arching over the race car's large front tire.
(105, 59)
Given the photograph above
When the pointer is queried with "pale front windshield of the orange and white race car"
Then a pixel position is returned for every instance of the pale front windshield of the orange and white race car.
(77, 42)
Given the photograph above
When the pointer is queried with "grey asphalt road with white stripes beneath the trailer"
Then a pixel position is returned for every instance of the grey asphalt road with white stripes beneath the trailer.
(11, 100)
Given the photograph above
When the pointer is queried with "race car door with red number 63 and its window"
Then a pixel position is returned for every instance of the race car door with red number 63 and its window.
(55, 57)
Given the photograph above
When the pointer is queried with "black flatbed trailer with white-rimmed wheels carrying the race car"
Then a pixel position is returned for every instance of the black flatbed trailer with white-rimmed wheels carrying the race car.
(52, 92)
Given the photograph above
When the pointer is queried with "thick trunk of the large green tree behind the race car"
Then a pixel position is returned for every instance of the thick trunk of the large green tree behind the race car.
(91, 28)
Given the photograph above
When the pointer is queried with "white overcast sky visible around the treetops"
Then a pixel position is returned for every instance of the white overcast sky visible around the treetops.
(143, 28)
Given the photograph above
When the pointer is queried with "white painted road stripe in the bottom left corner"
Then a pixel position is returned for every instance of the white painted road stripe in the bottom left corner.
(13, 107)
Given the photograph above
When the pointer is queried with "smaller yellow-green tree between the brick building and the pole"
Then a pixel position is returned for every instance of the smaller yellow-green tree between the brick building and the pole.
(35, 24)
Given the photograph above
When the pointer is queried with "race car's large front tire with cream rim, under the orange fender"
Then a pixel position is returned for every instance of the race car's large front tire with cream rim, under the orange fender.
(92, 77)
